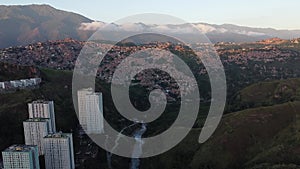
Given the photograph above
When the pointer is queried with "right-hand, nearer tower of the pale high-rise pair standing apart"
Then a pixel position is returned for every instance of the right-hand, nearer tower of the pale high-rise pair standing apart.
(94, 109)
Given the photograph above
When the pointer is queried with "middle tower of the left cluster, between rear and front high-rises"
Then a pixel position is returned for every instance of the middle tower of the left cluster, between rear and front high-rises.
(35, 130)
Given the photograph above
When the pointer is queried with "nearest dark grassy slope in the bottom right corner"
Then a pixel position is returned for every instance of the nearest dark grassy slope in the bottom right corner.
(254, 136)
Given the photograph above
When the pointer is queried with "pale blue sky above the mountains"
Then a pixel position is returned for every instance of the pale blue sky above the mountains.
(279, 14)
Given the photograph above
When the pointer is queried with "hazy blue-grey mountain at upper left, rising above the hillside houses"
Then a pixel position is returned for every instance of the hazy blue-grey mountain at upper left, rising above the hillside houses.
(21, 25)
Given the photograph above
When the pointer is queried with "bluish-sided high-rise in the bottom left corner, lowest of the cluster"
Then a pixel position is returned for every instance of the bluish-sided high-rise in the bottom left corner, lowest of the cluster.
(21, 157)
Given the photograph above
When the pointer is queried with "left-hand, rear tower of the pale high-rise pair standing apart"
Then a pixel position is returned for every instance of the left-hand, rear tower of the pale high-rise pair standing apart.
(82, 112)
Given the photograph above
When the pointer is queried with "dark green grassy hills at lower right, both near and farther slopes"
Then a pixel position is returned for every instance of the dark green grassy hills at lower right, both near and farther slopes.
(259, 137)
